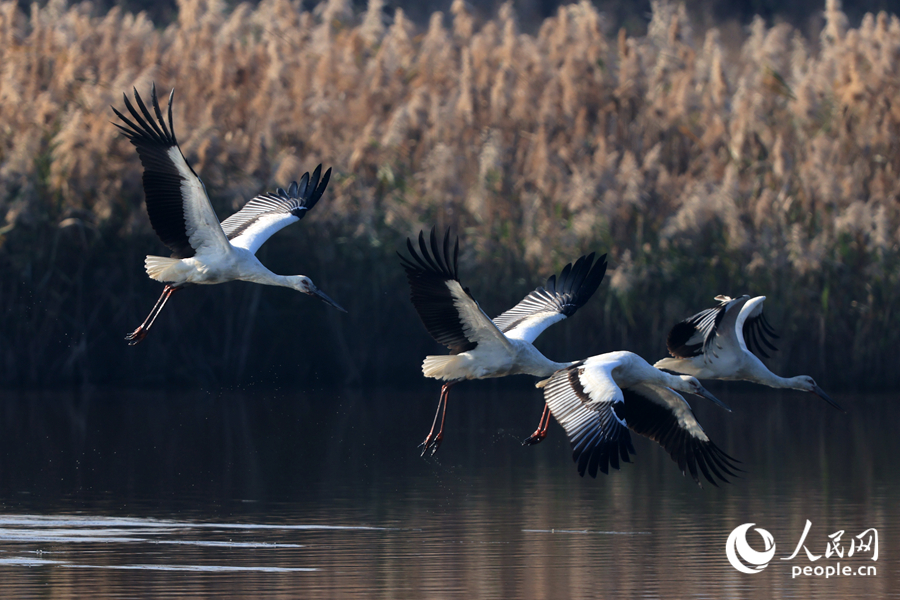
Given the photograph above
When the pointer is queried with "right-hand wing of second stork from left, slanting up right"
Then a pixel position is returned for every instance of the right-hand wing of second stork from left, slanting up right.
(559, 298)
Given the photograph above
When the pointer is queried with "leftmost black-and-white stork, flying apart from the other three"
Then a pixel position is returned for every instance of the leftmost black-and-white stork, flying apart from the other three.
(205, 251)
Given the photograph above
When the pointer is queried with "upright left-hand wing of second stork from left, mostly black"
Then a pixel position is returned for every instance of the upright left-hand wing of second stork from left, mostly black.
(448, 311)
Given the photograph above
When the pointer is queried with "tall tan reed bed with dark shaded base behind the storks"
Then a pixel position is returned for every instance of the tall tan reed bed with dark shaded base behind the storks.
(702, 166)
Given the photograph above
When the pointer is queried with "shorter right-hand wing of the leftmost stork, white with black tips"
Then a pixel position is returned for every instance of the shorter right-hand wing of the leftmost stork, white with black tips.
(268, 213)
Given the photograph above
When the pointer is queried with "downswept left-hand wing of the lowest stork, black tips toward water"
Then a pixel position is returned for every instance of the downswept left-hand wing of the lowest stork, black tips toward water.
(582, 400)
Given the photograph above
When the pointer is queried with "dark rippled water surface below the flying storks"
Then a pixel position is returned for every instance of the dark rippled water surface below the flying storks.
(323, 495)
